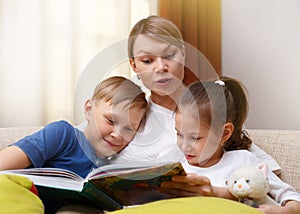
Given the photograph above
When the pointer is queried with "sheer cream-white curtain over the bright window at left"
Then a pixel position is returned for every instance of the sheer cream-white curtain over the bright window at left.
(46, 44)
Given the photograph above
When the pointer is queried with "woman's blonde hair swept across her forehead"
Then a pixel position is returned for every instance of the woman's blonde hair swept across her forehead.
(157, 28)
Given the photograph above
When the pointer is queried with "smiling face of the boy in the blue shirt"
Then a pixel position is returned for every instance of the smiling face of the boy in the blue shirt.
(111, 128)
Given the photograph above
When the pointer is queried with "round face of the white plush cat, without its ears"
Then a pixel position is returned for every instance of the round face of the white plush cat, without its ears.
(248, 181)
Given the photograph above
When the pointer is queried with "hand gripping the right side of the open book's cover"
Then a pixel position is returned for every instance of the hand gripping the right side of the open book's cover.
(189, 185)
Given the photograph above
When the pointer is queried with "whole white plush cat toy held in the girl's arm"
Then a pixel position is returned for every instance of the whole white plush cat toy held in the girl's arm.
(250, 185)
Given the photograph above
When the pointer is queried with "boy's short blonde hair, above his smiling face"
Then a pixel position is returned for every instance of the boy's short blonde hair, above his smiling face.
(117, 89)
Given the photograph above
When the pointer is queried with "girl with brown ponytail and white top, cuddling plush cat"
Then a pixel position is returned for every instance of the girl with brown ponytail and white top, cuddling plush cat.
(209, 121)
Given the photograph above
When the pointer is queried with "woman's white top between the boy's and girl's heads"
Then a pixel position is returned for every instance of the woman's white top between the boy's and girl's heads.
(156, 142)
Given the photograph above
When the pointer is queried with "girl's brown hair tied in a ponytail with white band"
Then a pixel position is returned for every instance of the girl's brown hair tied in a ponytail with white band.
(219, 102)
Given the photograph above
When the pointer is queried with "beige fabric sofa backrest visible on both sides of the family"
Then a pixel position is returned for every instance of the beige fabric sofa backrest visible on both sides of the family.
(282, 145)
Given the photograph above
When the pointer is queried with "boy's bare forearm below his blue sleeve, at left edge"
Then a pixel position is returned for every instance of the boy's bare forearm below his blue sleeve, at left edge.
(13, 157)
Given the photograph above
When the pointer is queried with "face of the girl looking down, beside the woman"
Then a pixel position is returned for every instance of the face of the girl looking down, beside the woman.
(199, 144)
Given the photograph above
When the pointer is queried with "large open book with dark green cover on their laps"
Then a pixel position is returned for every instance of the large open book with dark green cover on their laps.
(108, 187)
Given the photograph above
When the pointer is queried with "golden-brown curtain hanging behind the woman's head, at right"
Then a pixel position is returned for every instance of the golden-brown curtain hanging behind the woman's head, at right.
(200, 24)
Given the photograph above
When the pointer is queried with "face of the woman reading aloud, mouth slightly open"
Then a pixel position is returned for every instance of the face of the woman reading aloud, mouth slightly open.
(159, 65)
